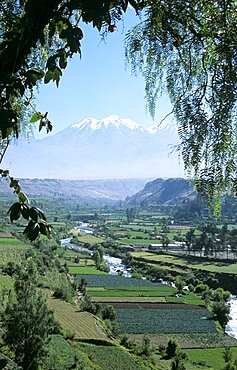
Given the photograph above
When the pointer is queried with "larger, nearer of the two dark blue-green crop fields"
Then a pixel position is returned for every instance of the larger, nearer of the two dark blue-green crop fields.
(142, 321)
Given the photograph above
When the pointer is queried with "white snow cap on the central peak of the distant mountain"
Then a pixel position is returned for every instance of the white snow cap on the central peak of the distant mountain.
(110, 121)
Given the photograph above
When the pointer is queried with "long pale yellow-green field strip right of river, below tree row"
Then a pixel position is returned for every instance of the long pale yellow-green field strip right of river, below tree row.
(190, 262)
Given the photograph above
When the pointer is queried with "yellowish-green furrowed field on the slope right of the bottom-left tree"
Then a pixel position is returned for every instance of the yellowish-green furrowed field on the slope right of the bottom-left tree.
(82, 324)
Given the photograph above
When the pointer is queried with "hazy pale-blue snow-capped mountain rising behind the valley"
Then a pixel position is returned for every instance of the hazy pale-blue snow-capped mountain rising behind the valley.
(98, 149)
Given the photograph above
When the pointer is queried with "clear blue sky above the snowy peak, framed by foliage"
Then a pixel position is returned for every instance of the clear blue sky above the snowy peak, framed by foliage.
(98, 85)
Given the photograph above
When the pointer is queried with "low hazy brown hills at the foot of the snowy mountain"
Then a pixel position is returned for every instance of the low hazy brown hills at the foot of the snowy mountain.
(133, 192)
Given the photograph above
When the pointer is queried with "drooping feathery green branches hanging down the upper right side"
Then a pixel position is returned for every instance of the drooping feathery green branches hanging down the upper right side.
(188, 48)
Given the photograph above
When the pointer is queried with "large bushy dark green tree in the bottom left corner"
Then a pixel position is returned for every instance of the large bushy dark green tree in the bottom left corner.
(27, 322)
